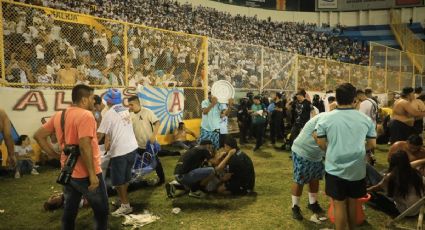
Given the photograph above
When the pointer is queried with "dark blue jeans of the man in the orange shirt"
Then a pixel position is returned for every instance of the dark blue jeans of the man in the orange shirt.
(98, 200)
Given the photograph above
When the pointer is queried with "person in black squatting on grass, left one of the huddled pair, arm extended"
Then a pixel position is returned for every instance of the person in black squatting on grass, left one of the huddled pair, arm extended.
(190, 172)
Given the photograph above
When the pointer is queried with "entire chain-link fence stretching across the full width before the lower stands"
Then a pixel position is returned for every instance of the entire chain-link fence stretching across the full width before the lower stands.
(46, 48)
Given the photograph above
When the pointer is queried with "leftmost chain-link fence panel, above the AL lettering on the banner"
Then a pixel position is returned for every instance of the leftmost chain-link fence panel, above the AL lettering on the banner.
(56, 48)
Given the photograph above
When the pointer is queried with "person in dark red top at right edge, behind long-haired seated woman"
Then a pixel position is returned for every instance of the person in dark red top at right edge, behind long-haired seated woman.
(413, 147)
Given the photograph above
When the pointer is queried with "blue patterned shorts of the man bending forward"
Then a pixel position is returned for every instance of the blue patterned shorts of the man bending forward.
(305, 170)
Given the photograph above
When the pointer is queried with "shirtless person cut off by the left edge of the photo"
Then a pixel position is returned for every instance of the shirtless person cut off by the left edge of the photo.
(5, 131)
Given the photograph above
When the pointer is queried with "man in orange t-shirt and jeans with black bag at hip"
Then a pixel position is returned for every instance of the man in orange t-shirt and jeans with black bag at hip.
(86, 178)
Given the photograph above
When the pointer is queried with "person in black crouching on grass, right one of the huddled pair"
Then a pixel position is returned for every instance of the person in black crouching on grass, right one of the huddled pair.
(239, 176)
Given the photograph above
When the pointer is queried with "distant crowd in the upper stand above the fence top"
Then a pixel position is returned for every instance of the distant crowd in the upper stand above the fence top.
(292, 37)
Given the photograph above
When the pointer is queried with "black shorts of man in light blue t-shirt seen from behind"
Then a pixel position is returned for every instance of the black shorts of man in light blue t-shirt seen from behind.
(341, 189)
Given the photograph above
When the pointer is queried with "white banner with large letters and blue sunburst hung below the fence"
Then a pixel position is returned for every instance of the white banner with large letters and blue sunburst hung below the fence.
(26, 108)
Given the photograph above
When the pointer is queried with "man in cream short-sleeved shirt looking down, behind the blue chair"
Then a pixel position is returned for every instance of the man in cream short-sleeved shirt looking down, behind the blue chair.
(145, 126)
